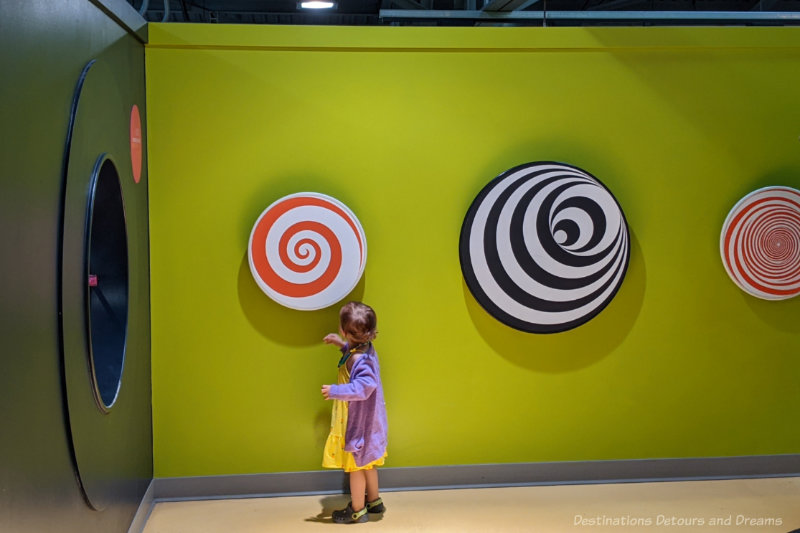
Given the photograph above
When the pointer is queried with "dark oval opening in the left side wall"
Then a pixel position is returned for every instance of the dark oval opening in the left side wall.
(107, 273)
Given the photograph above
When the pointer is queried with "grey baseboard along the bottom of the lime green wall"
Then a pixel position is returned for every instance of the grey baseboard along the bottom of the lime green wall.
(478, 476)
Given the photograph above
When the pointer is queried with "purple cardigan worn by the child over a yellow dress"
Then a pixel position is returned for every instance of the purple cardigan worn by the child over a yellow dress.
(366, 435)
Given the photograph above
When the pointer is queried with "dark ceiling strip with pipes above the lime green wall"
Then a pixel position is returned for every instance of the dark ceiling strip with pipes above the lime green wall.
(478, 12)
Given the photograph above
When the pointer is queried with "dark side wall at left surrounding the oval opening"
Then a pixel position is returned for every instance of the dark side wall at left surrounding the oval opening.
(43, 48)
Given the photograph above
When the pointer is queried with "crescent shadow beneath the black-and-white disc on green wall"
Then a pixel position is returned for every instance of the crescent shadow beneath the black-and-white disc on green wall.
(574, 349)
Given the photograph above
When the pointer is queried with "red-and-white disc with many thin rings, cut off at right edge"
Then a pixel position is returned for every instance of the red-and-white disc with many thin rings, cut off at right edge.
(760, 243)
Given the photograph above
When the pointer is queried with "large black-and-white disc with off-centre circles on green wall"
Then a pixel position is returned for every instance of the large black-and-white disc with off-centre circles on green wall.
(544, 247)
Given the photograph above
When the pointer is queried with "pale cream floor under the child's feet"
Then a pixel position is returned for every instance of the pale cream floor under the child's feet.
(744, 505)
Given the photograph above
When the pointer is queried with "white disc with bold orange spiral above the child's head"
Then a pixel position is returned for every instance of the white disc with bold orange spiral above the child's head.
(307, 251)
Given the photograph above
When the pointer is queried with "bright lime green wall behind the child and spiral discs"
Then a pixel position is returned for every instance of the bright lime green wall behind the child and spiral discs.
(406, 125)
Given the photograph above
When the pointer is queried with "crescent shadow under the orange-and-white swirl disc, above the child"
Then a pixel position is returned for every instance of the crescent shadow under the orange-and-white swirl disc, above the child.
(281, 324)
